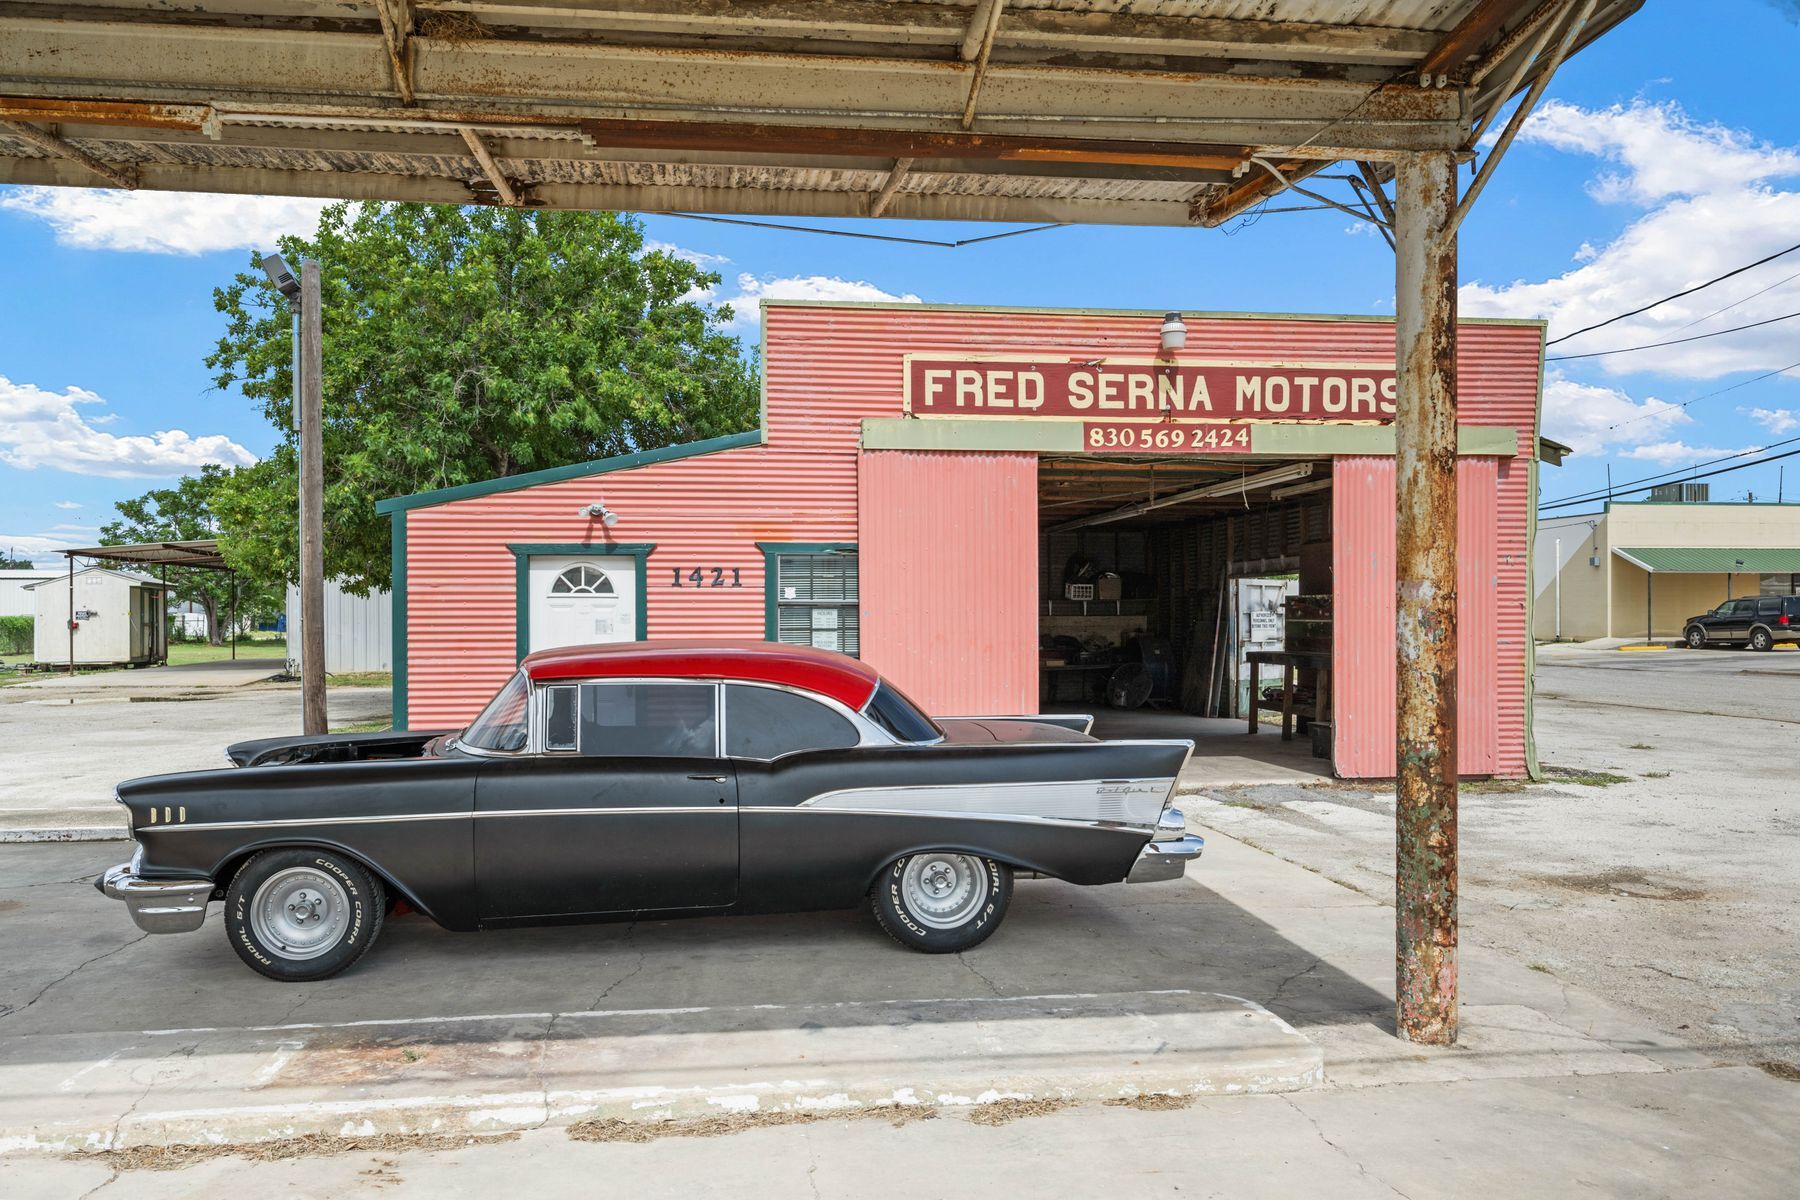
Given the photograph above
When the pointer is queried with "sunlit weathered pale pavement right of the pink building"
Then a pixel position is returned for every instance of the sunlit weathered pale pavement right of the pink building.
(1671, 893)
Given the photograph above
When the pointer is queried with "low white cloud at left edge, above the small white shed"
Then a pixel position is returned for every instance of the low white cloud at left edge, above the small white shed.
(48, 429)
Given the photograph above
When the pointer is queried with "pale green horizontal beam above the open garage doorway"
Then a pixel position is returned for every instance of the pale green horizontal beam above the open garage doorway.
(1266, 440)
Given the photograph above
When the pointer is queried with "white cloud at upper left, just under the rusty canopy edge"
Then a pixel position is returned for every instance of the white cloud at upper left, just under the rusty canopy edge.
(163, 222)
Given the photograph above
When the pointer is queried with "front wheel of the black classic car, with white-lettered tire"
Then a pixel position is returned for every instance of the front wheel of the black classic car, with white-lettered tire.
(303, 915)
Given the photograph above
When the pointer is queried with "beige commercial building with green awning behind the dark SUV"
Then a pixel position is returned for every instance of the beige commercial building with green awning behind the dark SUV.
(1641, 569)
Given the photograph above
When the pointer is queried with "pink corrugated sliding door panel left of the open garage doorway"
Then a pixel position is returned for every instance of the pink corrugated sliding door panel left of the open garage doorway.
(949, 577)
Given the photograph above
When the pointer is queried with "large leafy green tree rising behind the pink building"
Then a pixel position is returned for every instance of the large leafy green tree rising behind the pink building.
(465, 345)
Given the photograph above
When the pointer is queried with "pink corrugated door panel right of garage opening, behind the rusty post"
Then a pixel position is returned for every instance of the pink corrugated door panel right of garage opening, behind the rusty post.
(1363, 614)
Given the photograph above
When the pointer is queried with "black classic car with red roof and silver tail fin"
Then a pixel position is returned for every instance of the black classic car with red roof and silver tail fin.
(649, 780)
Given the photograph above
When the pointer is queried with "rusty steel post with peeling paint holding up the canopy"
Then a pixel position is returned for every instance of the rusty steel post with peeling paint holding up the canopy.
(1426, 611)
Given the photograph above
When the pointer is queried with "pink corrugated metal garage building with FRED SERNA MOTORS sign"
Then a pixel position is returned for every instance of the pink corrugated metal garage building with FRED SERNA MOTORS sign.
(1000, 506)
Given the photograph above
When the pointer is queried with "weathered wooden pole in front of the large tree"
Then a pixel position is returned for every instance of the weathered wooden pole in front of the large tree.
(312, 506)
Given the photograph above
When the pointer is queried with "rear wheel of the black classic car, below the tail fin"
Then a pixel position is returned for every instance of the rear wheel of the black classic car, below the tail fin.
(940, 902)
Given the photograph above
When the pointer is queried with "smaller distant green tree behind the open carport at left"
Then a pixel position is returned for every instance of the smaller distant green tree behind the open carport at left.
(184, 514)
